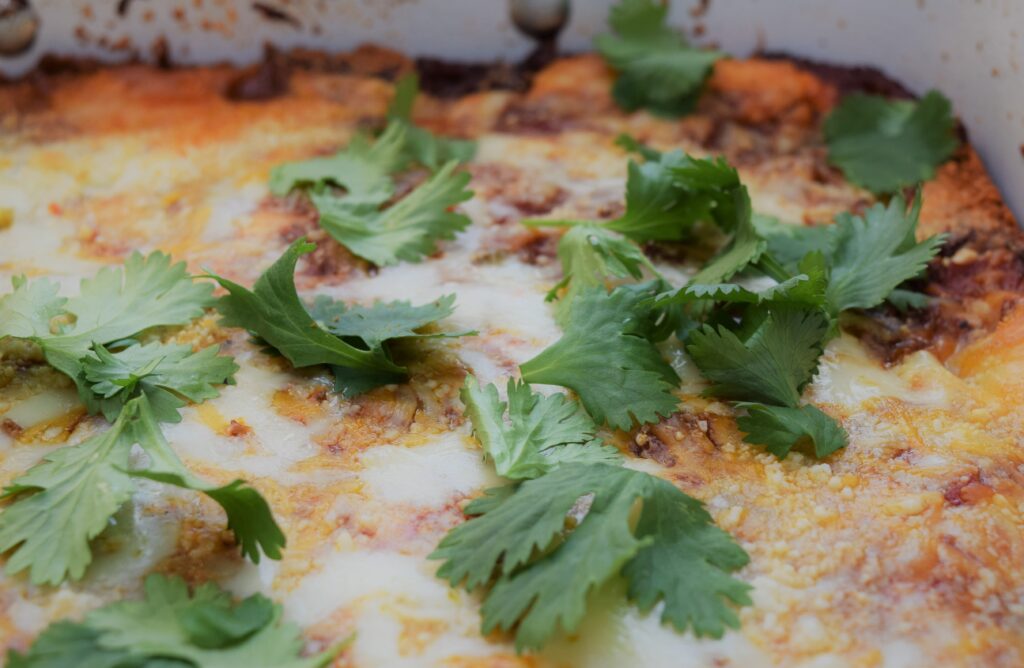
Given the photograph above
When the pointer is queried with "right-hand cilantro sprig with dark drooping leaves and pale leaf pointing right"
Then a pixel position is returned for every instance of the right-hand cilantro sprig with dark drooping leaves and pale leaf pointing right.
(761, 349)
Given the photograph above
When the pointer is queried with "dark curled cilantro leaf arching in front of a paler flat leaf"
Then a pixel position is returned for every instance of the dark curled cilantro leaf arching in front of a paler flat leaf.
(274, 312)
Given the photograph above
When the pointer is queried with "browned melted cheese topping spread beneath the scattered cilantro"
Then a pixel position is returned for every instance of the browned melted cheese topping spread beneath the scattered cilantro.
(904, 550)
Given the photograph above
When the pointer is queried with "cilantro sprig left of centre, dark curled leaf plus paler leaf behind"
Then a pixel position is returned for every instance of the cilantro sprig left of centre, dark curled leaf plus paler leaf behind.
(354, 342)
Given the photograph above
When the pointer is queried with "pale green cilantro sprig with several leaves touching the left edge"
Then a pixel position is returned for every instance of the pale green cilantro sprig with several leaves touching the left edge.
(60, 506)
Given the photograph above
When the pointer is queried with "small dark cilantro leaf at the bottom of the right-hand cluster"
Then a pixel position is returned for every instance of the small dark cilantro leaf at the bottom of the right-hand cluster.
(780, 429)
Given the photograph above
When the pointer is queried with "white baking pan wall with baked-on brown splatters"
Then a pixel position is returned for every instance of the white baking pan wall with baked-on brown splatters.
(973, 51)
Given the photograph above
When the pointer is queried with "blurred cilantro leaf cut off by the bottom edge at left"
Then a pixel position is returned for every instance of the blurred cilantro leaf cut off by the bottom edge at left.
(172, 628)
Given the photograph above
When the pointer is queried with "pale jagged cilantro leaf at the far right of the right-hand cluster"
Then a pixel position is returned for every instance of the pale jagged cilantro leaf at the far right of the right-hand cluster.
(876, 254)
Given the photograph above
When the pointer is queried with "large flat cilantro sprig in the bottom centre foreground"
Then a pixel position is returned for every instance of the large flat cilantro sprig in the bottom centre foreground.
(540, 548)
